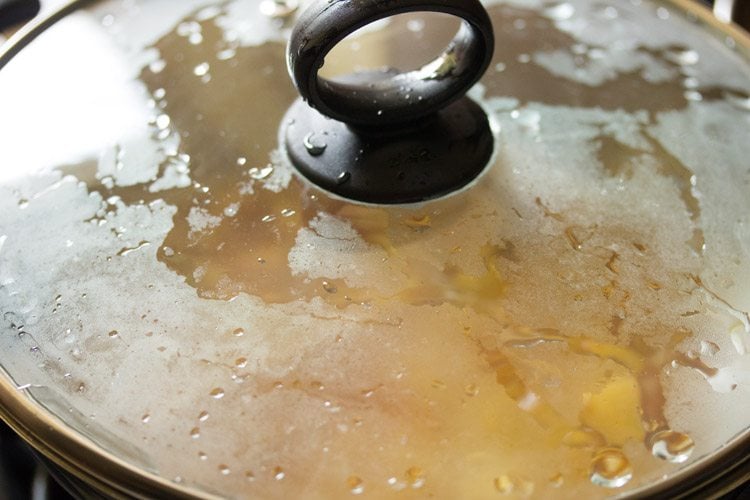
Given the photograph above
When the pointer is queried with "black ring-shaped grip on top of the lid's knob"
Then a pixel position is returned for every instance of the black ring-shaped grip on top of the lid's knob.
(390, 98)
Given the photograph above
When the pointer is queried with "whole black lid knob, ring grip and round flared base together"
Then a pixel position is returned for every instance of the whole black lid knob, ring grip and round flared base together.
(389, 137)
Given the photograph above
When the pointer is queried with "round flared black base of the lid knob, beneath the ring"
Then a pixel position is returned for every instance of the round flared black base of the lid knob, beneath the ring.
(440, 157)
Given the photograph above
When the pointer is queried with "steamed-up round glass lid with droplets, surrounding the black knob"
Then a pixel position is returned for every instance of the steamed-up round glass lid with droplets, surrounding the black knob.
(182, 312)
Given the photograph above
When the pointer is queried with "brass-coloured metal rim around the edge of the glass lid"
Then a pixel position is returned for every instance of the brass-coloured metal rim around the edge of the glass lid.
(709, 477)
